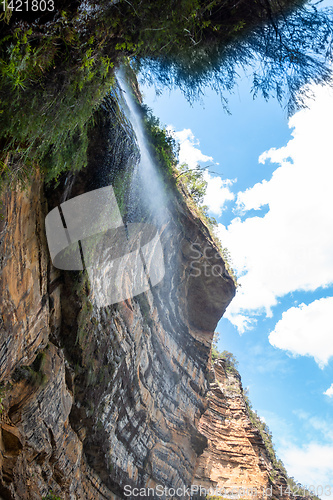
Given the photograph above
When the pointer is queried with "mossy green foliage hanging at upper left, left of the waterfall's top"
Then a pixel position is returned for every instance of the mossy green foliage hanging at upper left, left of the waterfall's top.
(45, 114)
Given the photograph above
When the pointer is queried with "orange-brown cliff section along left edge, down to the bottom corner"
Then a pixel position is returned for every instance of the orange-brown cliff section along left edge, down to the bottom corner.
(39, 450)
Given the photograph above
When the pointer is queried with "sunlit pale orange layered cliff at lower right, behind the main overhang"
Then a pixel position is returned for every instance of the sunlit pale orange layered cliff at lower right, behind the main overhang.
(236, 459)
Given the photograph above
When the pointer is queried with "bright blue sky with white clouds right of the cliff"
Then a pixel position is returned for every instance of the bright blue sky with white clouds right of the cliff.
(272, 199)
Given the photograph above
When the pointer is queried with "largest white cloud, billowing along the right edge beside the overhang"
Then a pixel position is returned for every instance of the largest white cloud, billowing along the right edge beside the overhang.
(289, 248)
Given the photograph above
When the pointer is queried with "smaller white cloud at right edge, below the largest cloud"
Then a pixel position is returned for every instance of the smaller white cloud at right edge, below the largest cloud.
(306, 330)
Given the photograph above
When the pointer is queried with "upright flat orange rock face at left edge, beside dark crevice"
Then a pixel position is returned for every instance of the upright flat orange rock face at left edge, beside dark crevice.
(23, 274)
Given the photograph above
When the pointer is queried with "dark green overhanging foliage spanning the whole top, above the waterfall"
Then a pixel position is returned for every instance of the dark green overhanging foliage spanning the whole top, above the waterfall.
(55, 73)
